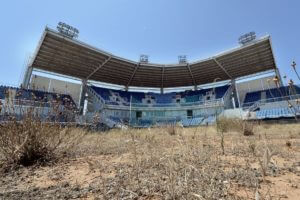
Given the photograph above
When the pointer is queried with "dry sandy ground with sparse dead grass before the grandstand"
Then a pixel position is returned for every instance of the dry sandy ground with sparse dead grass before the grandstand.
(168, 163)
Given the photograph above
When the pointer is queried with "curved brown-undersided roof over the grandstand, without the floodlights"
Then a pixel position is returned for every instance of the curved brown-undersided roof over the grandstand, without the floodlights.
(59, 54)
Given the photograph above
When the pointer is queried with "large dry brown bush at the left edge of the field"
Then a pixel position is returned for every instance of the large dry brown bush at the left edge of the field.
(31, 140)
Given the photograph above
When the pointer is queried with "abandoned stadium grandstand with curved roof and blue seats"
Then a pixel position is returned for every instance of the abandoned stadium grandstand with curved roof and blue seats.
(241, 82)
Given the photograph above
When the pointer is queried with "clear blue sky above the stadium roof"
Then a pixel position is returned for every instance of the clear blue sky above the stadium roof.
(163, 29)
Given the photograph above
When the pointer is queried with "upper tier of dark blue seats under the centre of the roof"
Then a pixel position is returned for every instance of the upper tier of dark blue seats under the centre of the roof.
(118, 97)
